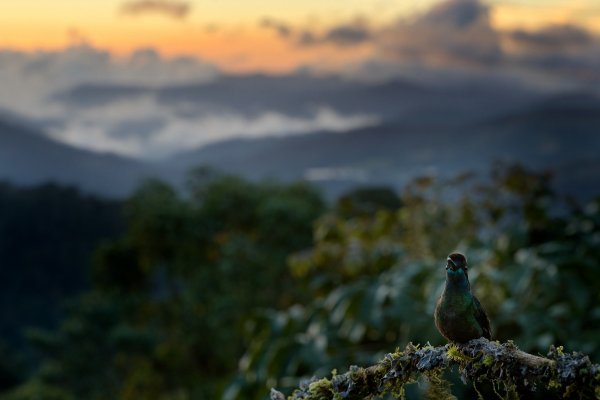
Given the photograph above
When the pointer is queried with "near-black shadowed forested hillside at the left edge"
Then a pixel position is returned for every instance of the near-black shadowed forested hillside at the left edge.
(47, 234)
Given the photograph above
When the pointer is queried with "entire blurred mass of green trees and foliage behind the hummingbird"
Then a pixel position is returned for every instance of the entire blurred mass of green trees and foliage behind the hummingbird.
(233, 287)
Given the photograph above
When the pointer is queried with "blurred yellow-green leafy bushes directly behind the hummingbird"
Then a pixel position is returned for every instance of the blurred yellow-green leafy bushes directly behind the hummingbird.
(375, 278)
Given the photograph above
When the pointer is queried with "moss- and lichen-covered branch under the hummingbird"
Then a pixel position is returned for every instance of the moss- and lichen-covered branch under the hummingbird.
(478, 360)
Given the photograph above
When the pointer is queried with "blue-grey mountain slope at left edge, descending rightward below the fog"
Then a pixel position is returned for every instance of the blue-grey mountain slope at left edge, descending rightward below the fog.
(28, 157)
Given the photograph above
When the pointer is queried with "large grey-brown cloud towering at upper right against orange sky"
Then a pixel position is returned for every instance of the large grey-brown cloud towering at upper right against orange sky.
(454, 42)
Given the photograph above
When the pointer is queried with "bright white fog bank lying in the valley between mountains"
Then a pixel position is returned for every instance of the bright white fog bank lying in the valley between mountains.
(145, 128)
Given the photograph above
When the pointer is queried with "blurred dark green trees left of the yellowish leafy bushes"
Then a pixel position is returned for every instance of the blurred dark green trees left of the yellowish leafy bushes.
(170, 297)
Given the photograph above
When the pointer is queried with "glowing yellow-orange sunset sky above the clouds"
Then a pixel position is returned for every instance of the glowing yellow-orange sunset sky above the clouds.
(244, 35)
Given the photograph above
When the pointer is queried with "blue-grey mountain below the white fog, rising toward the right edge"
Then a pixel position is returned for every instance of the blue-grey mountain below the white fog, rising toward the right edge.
(553, 134)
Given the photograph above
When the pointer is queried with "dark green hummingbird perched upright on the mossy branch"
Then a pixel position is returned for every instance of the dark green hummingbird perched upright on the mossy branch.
(459, 315)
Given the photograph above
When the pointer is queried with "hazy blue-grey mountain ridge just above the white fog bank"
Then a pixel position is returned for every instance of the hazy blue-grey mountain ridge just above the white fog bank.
(300, 94)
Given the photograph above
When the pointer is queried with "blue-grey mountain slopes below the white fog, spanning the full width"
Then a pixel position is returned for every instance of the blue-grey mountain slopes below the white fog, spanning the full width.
(555, 132)
